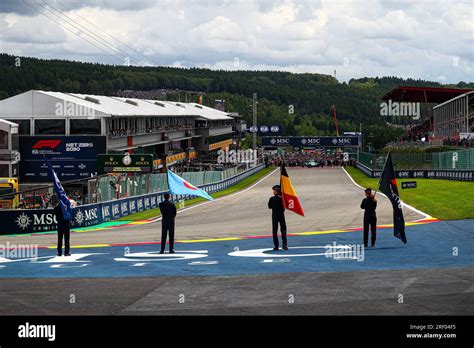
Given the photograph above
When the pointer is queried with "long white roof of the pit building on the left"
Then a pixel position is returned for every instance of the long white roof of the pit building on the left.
(45, 103)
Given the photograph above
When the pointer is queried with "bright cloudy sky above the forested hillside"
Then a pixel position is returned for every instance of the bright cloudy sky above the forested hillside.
(432, 40)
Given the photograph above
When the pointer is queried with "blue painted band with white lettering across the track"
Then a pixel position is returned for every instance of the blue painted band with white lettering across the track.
(444, 244)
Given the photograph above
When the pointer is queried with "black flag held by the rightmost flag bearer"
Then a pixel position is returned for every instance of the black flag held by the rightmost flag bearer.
(388, 185)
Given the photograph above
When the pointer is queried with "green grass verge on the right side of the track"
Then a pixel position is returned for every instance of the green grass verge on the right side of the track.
(442, 199)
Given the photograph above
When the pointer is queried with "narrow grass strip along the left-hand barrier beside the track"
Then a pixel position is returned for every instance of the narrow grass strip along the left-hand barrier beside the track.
(232, 189)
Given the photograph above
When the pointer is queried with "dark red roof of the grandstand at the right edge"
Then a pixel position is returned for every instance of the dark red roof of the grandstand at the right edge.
(417, 94)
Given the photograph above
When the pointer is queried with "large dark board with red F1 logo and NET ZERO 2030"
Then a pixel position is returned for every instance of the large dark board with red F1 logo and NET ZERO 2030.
(72, 157)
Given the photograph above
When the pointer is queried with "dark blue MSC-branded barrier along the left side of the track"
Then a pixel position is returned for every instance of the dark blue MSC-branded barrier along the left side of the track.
(24, 221)
